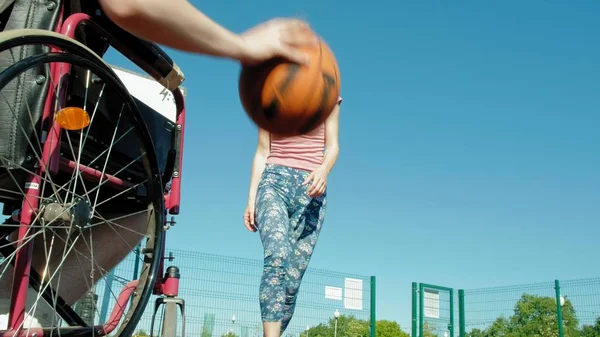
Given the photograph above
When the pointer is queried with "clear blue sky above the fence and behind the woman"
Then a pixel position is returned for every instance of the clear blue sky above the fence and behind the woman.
(469, 143)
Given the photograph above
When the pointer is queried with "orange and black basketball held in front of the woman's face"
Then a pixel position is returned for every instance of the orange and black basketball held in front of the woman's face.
(289, 99)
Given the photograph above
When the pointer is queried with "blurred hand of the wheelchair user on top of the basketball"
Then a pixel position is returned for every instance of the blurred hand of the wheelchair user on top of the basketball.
(278, 38)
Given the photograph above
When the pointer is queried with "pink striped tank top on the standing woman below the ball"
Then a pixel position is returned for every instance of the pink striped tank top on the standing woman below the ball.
(304, 152)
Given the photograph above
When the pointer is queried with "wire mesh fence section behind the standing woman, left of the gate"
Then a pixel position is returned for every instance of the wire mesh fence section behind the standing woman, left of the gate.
(225, 285)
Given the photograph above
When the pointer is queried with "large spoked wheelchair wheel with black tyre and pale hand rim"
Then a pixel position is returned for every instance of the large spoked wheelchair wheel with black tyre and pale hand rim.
(83, 196)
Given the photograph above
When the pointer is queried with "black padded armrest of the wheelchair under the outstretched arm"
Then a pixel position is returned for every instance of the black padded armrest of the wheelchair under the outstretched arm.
(146, 55)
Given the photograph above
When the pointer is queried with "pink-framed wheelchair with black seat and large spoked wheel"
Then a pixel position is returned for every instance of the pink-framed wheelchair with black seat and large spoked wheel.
(87, 171)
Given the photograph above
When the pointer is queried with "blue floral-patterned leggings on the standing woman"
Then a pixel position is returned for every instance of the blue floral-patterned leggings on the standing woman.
(289, 222)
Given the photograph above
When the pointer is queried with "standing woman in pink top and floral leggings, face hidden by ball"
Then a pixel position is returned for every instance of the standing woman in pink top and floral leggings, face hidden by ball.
(286, 204)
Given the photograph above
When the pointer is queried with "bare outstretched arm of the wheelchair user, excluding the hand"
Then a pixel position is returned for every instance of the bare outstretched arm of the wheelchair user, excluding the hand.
(176, 24)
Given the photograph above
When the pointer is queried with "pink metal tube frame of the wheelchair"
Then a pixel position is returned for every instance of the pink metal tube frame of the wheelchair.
(53, 163)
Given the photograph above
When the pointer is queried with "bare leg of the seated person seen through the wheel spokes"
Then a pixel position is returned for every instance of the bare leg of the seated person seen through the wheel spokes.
(73, 271)
